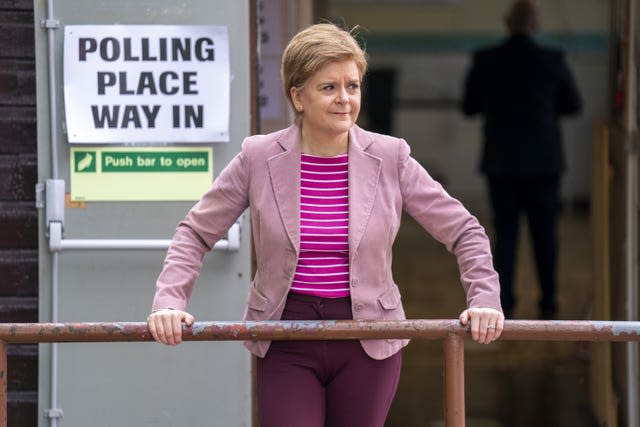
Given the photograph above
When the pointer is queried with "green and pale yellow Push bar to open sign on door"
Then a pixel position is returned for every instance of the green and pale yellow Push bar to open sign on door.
(140, 173)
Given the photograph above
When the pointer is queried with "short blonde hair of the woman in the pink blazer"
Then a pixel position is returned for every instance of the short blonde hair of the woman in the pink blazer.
(315, 47)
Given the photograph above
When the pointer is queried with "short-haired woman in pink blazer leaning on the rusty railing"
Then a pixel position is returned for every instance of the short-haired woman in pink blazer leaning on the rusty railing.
(326, 200)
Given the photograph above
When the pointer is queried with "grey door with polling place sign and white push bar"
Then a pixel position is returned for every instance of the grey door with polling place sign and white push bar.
(106, 219)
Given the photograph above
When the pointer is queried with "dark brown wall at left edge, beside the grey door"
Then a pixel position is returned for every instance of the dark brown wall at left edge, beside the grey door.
(18, 215)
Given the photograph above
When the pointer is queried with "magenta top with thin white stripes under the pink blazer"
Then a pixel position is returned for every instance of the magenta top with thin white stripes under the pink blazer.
(323, 265)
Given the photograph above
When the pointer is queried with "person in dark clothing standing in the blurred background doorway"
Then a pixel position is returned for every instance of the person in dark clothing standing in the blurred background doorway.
(521, 89)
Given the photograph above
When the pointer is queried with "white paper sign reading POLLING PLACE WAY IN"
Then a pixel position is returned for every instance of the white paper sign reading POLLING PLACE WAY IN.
(146, 83)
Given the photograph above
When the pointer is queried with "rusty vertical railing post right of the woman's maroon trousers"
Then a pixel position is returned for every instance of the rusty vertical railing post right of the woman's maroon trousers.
(454, 415)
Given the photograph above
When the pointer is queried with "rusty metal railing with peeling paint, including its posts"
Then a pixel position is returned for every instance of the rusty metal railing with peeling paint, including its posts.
(450, 331)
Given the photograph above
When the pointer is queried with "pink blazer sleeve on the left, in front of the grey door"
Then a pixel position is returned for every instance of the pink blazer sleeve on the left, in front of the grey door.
(204, 225)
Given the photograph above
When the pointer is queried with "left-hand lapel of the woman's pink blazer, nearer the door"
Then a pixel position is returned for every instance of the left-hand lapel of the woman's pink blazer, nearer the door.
(284, 171)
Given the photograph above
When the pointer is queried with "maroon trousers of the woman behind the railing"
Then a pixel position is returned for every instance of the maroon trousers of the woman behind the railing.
(323, 383)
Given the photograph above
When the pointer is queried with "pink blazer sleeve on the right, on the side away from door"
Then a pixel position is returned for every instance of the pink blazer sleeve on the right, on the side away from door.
(449, 222)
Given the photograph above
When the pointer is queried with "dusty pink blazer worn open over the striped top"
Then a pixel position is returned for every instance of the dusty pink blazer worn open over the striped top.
(383, 180)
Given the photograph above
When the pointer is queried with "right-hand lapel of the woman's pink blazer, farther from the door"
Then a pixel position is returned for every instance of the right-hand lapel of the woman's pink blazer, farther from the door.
(364, 173)
